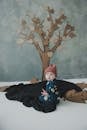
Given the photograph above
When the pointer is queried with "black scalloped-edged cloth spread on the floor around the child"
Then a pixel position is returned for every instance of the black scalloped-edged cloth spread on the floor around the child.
(28, 93)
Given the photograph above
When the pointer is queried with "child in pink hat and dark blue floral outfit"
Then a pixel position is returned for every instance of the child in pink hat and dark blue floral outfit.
(50, 94)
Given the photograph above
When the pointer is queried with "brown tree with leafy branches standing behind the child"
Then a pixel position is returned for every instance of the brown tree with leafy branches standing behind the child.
(44, 45)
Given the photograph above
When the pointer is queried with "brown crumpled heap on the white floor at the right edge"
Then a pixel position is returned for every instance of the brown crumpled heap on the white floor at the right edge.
(74, 96)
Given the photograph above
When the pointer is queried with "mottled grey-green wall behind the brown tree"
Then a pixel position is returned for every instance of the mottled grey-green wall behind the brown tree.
(18, 62)
